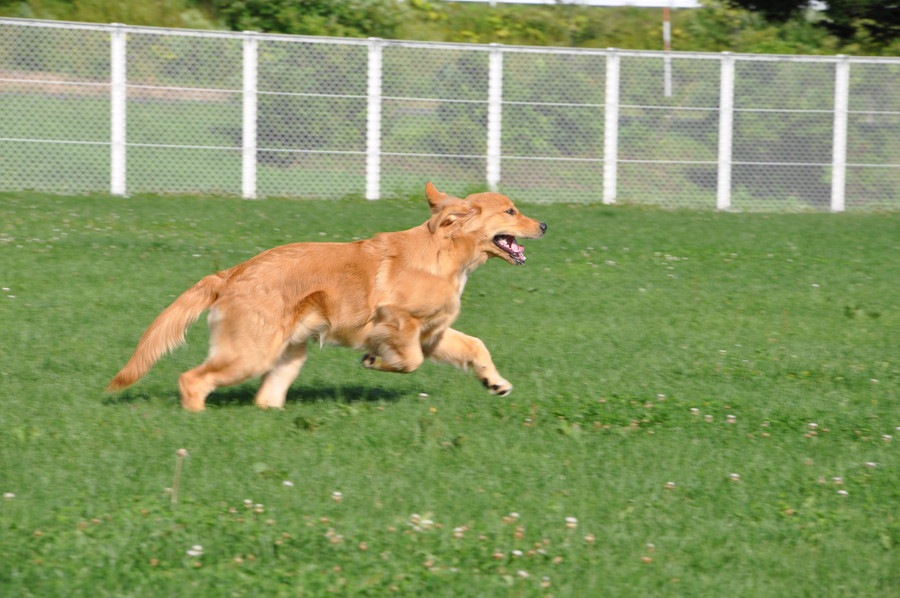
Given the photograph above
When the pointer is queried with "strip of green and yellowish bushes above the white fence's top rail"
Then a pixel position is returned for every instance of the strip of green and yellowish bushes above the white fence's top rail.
(849, 27)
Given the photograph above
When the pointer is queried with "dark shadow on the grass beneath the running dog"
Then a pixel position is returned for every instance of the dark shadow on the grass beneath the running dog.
(242, 396)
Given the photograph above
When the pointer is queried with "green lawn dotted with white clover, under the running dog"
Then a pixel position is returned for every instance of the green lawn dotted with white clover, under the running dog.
(704, 406)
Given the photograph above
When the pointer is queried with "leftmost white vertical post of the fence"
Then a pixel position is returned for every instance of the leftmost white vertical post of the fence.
(118, 102)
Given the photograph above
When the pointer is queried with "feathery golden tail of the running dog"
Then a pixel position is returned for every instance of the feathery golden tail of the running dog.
(167, 330)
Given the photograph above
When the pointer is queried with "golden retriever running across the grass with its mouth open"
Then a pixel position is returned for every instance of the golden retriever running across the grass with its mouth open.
(393, 296)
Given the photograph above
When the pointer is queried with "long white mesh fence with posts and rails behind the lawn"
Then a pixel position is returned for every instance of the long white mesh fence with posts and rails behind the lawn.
(90, 108)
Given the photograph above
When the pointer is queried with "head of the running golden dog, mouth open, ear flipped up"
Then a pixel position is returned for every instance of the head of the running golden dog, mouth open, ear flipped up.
(490, 220)
